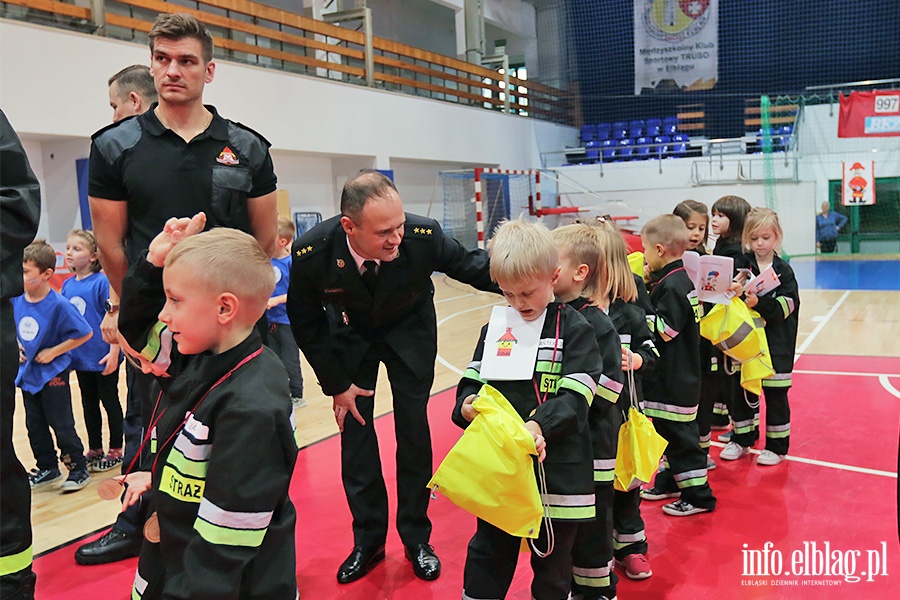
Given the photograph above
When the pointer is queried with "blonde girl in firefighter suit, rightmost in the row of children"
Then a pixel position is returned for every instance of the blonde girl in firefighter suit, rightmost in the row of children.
(780, 309)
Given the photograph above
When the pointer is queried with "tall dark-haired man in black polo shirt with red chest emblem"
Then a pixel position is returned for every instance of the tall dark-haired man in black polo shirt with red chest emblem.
(175, 160)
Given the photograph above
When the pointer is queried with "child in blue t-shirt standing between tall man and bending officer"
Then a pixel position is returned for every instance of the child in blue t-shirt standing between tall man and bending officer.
(280, 338)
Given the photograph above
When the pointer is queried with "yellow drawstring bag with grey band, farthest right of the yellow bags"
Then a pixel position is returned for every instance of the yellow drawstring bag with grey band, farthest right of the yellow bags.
(740, 333)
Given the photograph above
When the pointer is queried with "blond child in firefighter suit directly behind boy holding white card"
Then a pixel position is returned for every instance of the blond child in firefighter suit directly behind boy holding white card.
(582, 276)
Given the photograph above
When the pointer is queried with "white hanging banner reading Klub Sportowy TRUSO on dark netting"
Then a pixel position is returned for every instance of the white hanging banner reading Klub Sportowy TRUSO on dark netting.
(676, 45)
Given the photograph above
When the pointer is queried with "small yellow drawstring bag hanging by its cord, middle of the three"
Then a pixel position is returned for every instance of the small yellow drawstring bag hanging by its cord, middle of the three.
(640, 448)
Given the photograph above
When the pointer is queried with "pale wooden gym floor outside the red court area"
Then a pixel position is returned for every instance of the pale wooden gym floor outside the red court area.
(836, 322)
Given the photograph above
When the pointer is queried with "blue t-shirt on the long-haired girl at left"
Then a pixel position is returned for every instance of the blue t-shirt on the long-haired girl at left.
(89, 296)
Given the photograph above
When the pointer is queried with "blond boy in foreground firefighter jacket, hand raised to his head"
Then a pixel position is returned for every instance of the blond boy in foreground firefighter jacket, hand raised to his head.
(222, 445)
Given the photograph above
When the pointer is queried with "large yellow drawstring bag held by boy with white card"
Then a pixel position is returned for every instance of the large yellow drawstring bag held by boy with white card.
(489, 472)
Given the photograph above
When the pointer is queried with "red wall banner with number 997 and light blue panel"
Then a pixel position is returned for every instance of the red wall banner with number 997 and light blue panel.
(870, 114)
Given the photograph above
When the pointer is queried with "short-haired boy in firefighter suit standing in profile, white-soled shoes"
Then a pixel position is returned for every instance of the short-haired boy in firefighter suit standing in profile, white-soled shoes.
(672, 391)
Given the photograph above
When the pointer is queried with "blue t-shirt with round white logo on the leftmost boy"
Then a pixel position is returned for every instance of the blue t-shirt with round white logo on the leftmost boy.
(41, 325)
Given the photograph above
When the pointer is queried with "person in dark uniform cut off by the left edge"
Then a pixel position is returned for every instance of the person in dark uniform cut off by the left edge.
(20, 211)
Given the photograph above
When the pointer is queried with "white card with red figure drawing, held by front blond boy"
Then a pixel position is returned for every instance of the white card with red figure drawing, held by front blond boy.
(510, 346)
